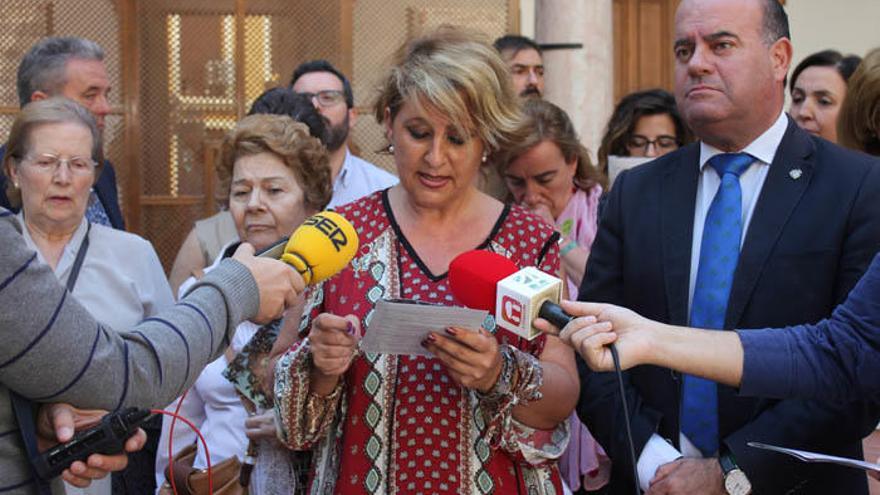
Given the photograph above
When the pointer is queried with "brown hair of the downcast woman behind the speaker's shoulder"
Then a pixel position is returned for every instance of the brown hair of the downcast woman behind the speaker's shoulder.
(545, 121)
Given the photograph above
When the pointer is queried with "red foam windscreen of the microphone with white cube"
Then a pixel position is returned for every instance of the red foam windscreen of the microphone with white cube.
(474, 277)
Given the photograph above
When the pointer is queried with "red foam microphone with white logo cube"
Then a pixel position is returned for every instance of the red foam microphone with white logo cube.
(491, 282)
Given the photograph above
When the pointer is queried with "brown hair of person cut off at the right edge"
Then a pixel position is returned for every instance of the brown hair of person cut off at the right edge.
(858, 123)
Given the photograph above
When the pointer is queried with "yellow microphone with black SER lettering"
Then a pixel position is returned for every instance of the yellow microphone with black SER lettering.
(320, 248)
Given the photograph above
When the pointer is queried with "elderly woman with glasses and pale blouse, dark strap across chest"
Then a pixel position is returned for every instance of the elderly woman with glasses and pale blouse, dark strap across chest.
(53, 159)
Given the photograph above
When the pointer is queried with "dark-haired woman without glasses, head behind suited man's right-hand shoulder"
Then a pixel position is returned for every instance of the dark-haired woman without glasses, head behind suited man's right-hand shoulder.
(818, 88)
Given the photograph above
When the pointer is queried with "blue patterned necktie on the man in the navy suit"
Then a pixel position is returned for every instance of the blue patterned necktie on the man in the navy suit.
(719, 252)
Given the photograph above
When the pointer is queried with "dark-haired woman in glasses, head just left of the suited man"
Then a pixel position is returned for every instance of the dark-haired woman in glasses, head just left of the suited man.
(644, 124)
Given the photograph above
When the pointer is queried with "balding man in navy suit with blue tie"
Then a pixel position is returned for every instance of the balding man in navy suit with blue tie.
(805, 225)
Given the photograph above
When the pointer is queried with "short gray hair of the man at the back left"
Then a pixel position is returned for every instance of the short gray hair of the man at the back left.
(43, 66)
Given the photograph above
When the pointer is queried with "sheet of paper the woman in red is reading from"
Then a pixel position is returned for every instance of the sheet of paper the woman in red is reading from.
(400, 327)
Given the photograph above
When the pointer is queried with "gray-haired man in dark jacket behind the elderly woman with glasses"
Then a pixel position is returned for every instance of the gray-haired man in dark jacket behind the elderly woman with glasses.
(74, 68)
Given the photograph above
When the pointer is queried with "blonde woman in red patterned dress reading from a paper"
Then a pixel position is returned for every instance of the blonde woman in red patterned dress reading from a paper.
(485, 413)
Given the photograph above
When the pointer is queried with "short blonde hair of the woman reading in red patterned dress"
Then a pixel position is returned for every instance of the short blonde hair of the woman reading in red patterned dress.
(459, 74)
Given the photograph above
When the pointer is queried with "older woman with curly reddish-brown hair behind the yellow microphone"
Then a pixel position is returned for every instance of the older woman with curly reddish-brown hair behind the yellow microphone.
(276, 175)
